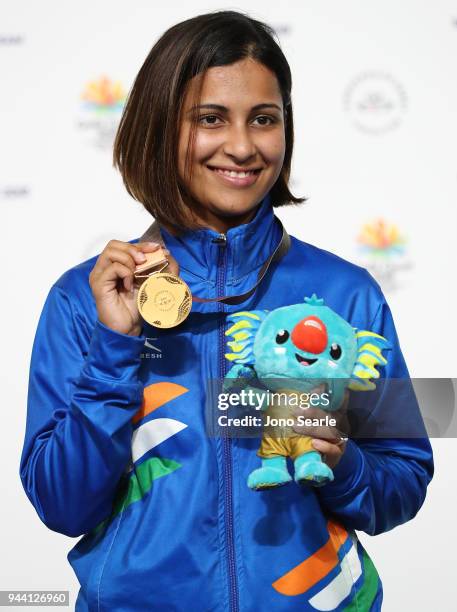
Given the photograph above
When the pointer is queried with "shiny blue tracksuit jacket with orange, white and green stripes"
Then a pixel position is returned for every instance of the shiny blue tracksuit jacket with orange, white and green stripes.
(116, 448)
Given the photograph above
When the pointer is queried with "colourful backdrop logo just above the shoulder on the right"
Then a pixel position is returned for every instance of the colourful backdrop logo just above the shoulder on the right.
(382, 249)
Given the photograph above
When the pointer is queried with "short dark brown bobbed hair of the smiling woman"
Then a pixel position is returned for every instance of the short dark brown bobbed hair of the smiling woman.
(146, 144)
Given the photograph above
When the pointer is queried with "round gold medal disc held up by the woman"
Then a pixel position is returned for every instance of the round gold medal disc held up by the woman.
(164, 300)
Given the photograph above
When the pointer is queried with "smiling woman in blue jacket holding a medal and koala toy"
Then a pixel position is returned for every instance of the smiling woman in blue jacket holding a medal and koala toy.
(116, 447)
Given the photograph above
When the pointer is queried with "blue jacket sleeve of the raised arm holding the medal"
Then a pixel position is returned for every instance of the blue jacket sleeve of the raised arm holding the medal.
(81, 400)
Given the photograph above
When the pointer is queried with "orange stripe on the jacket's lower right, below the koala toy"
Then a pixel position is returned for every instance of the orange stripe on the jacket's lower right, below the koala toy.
(305, 575)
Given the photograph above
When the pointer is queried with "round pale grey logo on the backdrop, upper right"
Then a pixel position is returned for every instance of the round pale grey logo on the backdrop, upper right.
(375, 102)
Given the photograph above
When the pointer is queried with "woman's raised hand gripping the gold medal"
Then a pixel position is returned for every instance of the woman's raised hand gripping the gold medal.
(115, 287)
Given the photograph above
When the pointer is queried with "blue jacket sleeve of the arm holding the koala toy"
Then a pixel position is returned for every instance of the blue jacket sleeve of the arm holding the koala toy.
(381, 482)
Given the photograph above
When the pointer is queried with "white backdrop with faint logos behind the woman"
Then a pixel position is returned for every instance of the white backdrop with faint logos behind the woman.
(374, 99)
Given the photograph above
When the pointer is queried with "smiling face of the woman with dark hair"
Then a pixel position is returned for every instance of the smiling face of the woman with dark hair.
(239, 142)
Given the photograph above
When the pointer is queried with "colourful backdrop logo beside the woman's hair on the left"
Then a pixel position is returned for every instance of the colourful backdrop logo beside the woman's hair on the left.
(102, 102)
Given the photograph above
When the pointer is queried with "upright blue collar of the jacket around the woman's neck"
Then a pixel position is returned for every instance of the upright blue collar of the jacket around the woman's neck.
(247, 246)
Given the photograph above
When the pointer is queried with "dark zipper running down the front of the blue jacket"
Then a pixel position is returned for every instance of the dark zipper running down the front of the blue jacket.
(226, 442)
